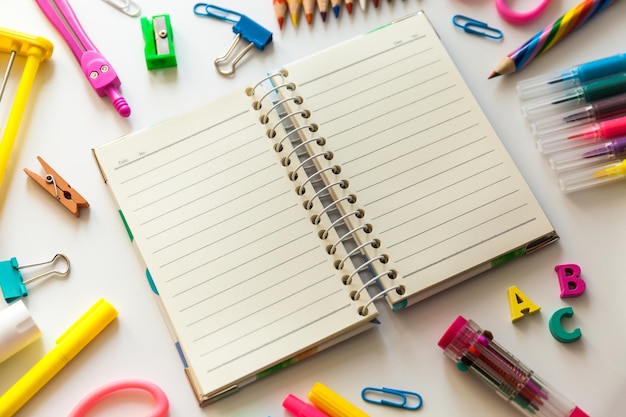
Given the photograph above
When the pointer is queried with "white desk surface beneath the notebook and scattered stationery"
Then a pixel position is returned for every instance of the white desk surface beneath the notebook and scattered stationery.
(65, 119)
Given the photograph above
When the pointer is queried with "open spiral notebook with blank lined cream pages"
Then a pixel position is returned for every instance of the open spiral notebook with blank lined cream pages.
(272, 219)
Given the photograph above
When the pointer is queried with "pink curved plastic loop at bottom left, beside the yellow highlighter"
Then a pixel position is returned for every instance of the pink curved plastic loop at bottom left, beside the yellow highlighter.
(161, 402)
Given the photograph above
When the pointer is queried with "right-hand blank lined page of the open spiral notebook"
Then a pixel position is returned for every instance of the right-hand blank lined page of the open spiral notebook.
(434, 179)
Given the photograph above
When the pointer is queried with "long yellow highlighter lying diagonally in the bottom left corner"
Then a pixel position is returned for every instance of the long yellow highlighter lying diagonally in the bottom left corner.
(68, 345)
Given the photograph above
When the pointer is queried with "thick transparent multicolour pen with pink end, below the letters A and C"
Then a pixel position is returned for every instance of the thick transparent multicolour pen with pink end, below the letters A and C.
(473, 349)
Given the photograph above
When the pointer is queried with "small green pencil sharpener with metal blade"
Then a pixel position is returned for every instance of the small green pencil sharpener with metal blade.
(159, 38)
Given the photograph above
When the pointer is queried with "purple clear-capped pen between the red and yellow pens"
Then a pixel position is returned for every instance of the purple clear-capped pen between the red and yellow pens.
(588, 155)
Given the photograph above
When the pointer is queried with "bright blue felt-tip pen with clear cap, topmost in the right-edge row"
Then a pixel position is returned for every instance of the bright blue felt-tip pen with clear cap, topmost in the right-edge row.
(571, 77)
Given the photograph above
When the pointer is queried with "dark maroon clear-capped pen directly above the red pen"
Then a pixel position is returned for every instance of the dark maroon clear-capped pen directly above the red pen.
(607, 108)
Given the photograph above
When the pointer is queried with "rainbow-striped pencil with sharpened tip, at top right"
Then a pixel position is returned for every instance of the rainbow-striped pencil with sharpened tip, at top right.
(550, 36)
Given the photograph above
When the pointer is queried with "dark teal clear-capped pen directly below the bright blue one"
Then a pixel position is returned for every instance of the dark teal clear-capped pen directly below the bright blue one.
(575, 97)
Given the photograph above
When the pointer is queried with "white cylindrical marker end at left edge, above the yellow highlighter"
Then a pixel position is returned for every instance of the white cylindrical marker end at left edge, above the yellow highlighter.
(17, 329)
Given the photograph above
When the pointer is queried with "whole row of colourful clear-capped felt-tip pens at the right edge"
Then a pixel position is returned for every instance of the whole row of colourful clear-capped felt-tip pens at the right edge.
(578, 118)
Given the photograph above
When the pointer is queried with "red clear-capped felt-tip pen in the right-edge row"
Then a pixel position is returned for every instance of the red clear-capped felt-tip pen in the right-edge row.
(582, 135)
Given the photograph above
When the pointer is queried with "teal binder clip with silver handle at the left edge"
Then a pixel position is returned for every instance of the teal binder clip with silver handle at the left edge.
(13, 286)
